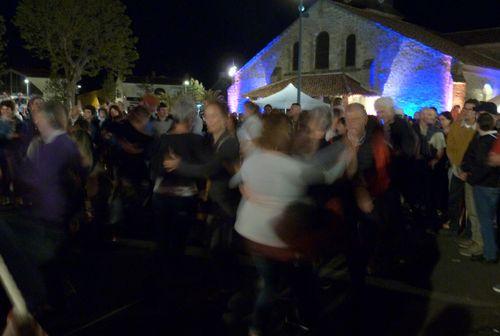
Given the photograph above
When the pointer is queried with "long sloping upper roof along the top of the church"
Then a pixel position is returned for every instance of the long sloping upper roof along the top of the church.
(422, 35)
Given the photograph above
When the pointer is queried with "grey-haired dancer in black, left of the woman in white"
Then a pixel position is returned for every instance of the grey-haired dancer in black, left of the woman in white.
(174, 195)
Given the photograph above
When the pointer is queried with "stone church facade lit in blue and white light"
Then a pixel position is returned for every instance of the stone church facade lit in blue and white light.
(379, 50)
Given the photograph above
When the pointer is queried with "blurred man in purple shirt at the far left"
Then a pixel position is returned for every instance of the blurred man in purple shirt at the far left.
(54, 175)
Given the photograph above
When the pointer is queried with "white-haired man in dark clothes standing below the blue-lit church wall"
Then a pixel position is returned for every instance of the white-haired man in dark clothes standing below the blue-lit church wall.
(403, 142)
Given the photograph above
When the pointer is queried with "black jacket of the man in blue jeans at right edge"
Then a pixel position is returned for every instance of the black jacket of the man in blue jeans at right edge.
(475, 162)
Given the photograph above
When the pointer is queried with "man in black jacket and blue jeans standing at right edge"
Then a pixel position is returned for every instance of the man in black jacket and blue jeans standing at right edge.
(485, 181)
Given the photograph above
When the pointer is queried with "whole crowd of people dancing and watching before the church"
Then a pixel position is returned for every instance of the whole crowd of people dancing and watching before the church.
(292, 188)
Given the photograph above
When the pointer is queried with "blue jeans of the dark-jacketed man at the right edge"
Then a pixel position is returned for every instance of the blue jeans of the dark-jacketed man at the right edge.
(486, 200)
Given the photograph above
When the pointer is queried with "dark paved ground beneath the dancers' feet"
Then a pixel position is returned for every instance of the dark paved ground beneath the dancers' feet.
(433, 292)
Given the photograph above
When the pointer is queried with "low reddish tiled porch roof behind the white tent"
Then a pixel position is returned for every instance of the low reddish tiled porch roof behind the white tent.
(316, 85)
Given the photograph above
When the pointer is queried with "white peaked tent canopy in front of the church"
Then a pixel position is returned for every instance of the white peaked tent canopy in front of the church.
(286, 97)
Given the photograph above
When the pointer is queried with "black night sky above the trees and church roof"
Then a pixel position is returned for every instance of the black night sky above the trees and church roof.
(201, 38)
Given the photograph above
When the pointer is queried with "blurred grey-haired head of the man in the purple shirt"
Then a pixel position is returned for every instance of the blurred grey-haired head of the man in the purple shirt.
(53, 116)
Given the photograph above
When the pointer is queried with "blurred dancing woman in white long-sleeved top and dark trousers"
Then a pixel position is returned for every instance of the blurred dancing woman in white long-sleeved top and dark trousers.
(270, 181)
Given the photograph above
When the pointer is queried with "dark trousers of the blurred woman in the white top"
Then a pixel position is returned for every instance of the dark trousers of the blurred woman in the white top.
(298, 276)
